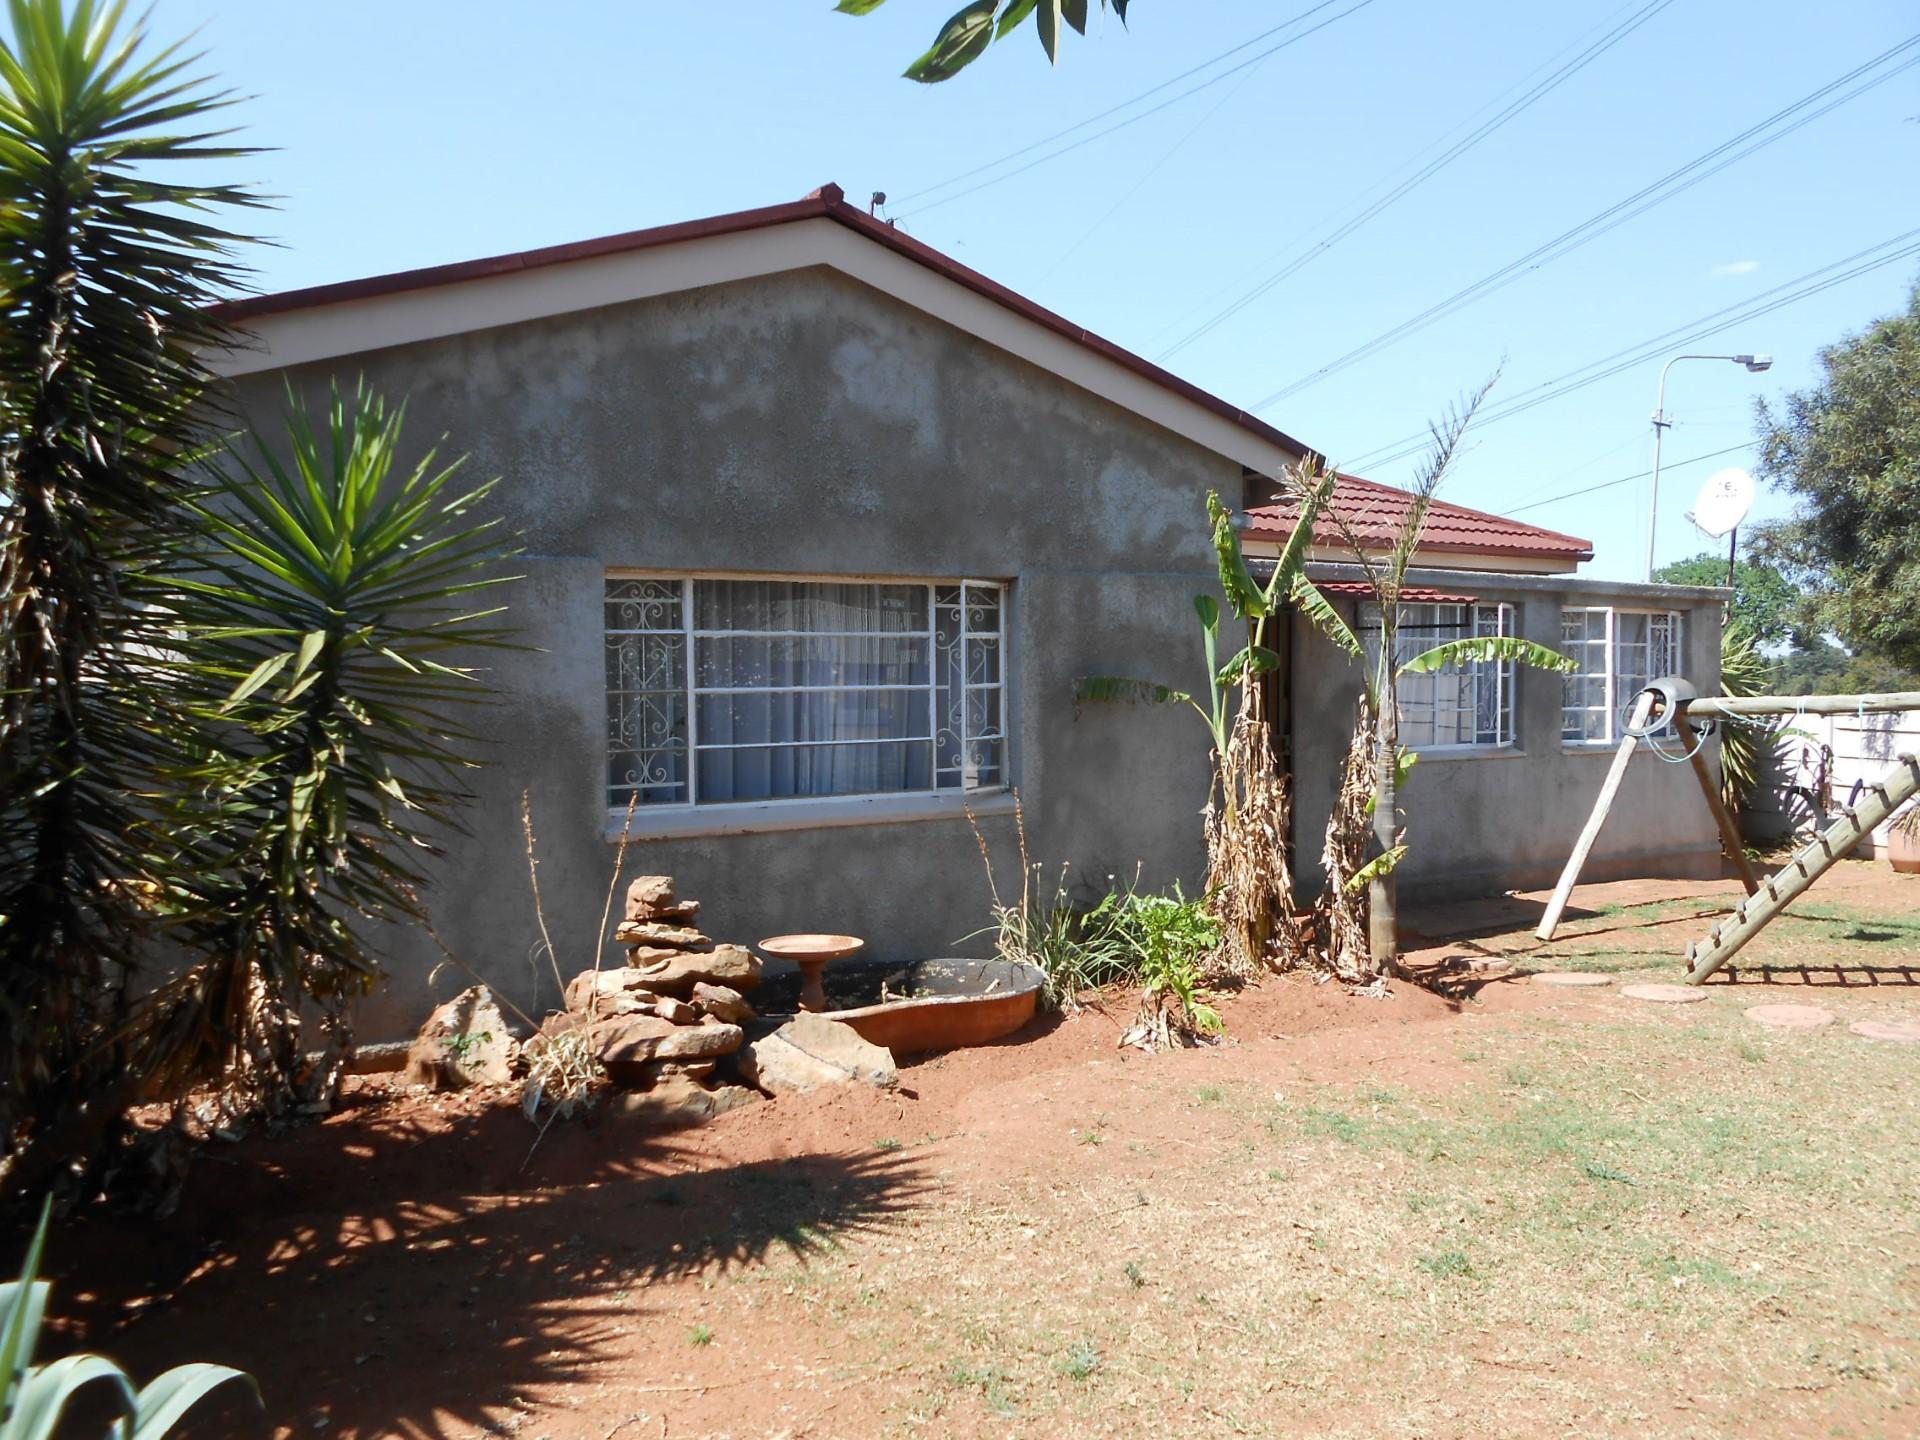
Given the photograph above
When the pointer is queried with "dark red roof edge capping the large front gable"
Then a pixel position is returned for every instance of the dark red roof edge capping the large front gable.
(827, 203)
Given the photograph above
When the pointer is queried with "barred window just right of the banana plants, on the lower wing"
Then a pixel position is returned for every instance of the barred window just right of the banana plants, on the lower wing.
(1462, 704)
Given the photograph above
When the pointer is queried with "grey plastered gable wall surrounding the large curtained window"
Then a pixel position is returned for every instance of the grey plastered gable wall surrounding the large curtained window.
(802, 425)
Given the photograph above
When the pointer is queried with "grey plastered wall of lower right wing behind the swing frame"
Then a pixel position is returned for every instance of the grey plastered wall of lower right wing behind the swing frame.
(1508, 819)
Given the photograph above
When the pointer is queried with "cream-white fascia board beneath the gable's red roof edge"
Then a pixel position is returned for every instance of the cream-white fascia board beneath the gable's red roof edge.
(356, 327)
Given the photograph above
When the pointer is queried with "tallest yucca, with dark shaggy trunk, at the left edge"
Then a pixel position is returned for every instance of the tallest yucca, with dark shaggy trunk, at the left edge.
(108, 262)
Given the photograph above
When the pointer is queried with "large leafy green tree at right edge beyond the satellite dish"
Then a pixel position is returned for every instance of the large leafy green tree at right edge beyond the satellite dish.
(1850, 452)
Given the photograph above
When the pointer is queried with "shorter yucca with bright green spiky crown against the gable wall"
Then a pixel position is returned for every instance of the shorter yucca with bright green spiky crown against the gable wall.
(329, 619)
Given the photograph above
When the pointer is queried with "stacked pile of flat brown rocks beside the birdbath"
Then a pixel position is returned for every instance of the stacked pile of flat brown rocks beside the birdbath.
(667, 1020)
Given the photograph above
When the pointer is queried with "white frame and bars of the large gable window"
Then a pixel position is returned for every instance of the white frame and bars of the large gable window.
(853, 807)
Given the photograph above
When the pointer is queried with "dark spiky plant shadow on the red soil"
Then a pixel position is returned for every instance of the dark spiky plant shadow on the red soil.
(466, 1284)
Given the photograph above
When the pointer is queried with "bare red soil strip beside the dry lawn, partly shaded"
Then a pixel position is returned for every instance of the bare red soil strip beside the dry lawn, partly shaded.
(416, 1266)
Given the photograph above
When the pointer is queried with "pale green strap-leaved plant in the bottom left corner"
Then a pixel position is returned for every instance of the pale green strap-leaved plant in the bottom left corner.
(34, 1399)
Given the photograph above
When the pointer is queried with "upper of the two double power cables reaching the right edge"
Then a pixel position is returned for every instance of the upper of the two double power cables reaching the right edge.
(1618, 214)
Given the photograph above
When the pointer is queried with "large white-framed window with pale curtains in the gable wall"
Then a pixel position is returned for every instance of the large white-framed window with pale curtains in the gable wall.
(777, 690)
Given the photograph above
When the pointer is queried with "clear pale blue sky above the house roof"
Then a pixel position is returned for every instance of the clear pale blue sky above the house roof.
(423, 132)
